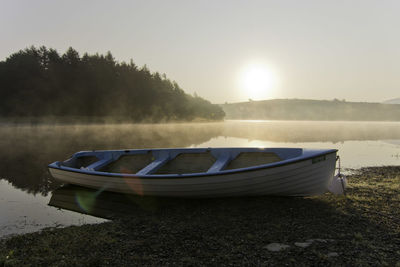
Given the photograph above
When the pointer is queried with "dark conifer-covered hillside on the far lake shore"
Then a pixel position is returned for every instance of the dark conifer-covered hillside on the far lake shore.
(40, 82)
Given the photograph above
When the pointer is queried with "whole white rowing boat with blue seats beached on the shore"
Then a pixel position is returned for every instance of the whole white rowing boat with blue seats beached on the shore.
(202, 172)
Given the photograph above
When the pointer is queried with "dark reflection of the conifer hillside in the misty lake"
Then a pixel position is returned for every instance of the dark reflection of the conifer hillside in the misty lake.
(27, 150)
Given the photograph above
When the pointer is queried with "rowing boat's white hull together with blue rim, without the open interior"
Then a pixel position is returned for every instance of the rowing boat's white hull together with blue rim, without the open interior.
(309, 172)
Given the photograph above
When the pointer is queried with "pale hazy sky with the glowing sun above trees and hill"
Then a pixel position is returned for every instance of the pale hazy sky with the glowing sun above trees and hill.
(227, 50)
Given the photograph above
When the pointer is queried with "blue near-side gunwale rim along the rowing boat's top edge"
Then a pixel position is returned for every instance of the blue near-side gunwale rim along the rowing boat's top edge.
(316, 154)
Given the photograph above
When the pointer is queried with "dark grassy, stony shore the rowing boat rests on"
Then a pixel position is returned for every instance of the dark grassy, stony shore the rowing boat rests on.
(359, 229)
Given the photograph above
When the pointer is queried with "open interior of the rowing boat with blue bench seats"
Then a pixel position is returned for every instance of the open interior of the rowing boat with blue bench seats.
(177, 161)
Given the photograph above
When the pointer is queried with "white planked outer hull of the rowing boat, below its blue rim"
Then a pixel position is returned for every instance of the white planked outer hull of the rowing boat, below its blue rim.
(301, 178)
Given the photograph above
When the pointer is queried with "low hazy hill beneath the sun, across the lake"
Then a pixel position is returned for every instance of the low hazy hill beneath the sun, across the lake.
(302, 109)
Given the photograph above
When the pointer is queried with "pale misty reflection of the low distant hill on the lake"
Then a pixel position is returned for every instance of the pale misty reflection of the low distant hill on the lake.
(311, 131)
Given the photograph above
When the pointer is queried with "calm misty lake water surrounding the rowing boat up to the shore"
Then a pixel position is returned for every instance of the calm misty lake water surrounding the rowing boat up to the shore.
(26, 187)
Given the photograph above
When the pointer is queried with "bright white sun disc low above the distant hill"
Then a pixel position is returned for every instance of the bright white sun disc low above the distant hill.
(257, 81)
